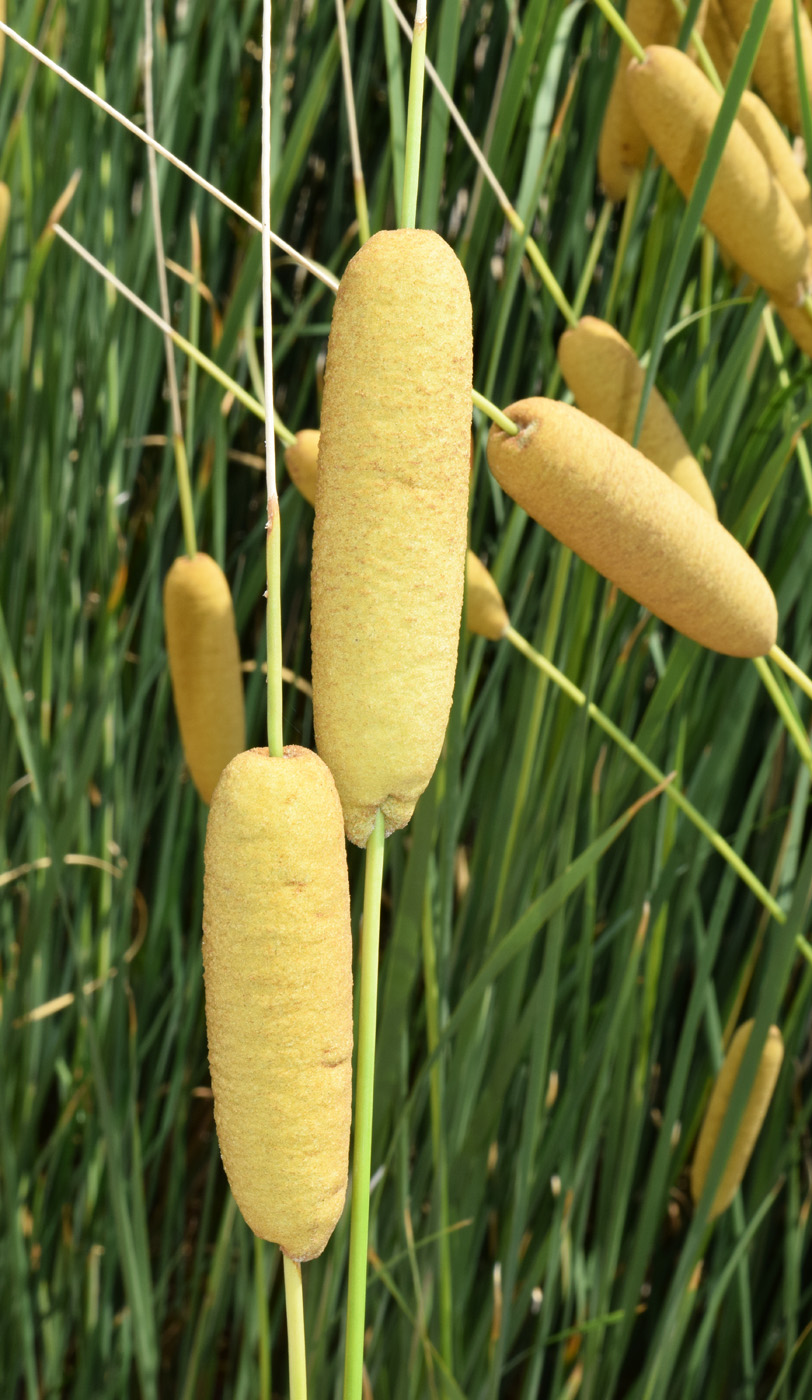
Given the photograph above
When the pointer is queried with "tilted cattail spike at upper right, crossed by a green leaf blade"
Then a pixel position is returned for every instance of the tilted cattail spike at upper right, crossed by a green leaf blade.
(747, 209)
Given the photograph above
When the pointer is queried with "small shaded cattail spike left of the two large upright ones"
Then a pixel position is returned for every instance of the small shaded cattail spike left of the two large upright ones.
(205, 668)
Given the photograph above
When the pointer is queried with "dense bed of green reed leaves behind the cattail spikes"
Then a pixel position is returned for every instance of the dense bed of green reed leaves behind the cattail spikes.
(559, 962)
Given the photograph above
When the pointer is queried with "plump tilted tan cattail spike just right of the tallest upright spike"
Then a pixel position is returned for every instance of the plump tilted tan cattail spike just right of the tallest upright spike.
(626, 519)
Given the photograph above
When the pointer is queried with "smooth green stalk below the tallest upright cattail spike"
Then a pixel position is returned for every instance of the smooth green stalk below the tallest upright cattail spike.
(363, 1132)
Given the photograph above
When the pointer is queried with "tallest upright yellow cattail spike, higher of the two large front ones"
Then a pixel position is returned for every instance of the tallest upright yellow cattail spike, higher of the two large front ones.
(391, 523)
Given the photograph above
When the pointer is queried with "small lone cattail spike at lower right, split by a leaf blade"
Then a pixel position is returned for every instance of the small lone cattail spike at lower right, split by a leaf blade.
(750, 1125)
